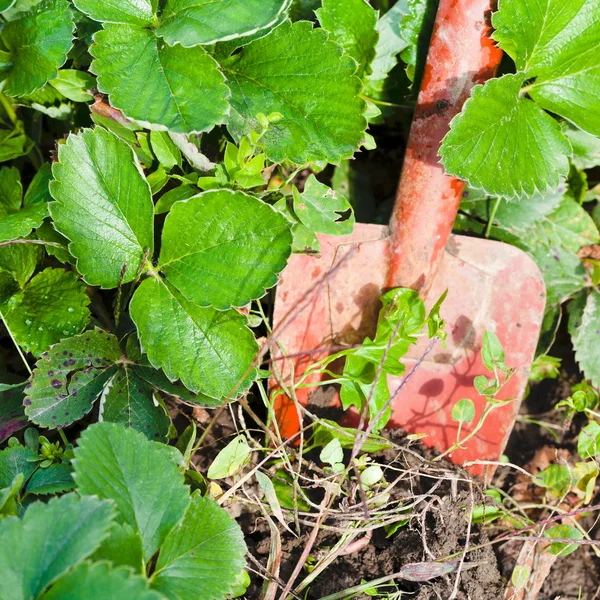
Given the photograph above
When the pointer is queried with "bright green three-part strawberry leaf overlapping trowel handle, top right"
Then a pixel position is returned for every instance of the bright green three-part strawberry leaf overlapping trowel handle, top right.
(556, 72)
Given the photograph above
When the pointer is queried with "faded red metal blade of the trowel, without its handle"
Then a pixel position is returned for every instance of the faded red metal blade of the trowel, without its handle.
(333, 300)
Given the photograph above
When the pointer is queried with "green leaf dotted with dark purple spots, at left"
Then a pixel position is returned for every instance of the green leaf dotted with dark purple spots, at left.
(68, 378)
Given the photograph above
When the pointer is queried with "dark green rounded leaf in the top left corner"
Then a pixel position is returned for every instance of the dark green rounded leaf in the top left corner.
(38, 42)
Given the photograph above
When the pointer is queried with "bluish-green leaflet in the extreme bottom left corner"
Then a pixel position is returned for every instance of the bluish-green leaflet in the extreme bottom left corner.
(51, 539)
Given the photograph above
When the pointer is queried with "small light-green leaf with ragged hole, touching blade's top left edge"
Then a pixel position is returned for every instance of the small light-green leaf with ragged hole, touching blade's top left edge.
(322, 209)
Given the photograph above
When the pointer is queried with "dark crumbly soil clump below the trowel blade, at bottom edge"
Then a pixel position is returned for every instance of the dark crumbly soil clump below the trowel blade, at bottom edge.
(441, 530)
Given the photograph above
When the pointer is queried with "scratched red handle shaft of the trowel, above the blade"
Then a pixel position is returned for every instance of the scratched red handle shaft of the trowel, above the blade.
(461, 54)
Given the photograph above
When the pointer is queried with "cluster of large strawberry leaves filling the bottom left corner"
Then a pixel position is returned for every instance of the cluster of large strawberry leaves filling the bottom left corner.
(131, 503)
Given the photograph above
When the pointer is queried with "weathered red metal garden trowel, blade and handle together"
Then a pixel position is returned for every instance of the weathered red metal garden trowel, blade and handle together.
(333, 300)
